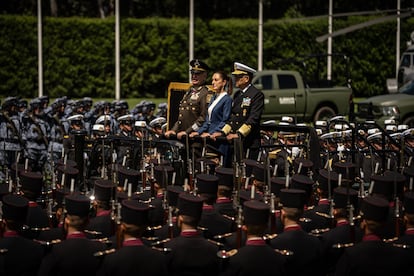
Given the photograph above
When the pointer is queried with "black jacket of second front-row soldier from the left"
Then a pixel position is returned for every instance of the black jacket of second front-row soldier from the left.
(73, 256)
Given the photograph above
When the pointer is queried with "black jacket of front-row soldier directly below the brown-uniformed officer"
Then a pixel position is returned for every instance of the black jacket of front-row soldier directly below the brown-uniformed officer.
(191, 254)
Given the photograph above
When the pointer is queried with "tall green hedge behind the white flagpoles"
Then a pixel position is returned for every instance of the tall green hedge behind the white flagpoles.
(79, 54)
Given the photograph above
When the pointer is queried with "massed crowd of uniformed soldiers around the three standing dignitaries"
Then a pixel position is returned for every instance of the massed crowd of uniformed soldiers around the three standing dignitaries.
(98, 189)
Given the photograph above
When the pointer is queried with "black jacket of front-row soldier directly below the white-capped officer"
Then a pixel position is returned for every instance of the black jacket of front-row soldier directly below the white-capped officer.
(255, 258)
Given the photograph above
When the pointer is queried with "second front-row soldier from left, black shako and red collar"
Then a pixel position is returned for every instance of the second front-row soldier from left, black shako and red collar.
(76, 254)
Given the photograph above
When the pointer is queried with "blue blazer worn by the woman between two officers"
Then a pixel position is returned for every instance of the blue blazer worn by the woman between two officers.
(219, 115)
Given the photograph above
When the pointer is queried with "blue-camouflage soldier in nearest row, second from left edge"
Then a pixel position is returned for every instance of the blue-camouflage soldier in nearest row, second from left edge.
(36, 136)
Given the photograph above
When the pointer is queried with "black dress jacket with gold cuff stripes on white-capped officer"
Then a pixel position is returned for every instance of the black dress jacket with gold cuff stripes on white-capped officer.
(246, 114)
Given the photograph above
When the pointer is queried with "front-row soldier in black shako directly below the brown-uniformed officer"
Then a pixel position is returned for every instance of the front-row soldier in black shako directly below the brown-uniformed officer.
(191, 254)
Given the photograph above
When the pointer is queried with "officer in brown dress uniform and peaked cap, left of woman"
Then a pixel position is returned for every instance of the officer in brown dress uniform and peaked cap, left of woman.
(193, 106)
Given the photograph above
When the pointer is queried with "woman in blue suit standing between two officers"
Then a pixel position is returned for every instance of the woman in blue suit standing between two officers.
(219, 111)
